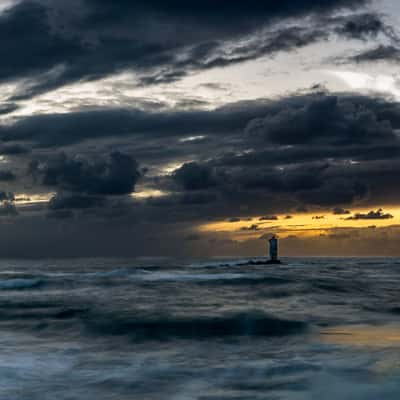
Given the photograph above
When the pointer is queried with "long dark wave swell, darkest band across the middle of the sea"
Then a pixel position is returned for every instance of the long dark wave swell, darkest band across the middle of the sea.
(243, 324)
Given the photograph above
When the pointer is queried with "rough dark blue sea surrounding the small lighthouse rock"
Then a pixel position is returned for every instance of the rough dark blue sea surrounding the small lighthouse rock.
(209, 329)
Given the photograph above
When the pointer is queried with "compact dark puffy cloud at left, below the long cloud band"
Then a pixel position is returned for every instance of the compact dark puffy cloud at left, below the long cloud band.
(115, 175)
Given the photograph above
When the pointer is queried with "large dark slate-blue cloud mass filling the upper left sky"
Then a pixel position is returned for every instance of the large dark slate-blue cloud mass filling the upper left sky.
(91, 39)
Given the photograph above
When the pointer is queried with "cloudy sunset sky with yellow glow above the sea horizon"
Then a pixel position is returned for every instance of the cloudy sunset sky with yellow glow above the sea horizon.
(197, 129)
